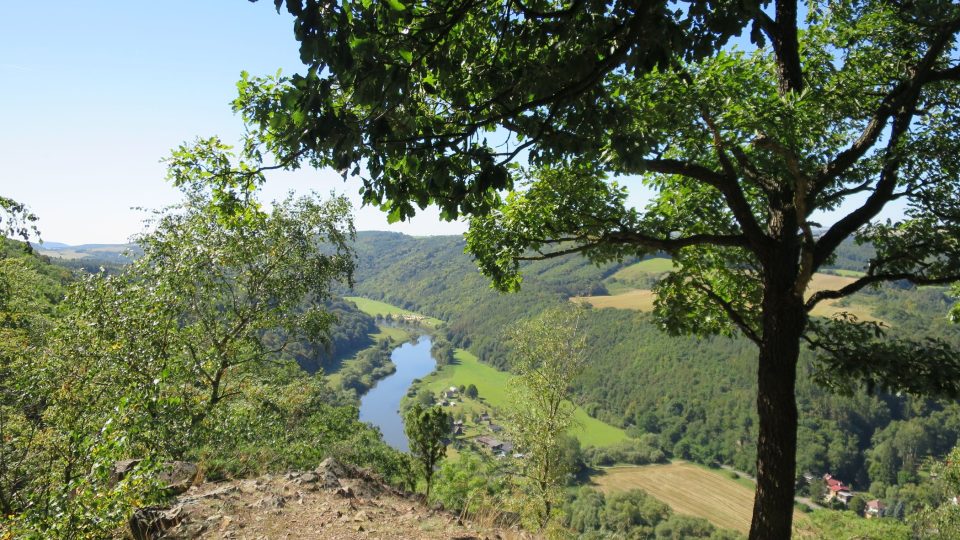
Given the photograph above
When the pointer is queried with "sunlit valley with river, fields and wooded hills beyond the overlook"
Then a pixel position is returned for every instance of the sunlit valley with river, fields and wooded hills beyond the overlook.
(682, 399)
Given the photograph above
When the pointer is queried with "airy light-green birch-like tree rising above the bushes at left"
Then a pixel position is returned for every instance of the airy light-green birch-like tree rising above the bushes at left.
(185, 325)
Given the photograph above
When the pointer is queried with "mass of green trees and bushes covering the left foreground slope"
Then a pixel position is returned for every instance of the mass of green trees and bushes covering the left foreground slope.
(180, 354)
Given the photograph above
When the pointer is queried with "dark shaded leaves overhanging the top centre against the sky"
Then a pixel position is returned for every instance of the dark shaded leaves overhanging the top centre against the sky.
(391, 86)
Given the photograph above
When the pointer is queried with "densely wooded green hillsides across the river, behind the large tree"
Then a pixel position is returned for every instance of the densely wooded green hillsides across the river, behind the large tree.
(695, 395)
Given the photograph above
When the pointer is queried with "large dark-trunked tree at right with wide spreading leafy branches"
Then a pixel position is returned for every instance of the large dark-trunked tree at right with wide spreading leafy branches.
(846, 108)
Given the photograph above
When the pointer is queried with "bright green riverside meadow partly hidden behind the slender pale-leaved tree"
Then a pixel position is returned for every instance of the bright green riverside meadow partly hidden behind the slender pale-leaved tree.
(492, 384)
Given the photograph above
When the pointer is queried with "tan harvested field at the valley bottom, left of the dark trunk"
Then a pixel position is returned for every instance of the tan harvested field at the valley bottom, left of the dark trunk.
(689, 489)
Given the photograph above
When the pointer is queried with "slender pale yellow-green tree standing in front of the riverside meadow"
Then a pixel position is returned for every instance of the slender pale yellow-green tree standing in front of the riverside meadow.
(549, 352)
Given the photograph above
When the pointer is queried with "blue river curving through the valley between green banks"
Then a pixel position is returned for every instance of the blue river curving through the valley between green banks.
(380, 406)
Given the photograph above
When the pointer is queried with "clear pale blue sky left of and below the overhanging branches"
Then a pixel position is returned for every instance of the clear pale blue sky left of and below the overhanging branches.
(93, 94)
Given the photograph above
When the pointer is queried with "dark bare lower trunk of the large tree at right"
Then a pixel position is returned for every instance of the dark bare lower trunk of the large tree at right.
(784, 320)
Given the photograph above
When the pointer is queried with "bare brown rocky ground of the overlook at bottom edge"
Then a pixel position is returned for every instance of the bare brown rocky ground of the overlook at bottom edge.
(333, 501)
